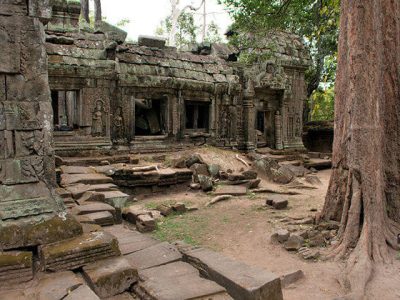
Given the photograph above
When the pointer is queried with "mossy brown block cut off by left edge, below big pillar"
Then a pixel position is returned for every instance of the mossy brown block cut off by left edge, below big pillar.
(15, 267)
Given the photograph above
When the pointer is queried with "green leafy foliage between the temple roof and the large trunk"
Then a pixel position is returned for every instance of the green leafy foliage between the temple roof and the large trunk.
(317, 21)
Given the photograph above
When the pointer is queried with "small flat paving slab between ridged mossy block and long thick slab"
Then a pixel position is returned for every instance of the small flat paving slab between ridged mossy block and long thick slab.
(154, 256)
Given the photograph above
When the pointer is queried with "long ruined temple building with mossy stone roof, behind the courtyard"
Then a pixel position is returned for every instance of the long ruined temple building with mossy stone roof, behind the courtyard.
(110, 94)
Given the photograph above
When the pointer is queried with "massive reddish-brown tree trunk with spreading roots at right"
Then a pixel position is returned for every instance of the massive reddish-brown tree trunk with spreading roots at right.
(364, 191)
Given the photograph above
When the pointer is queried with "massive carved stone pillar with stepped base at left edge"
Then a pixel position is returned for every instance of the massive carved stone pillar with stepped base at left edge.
(30, 213)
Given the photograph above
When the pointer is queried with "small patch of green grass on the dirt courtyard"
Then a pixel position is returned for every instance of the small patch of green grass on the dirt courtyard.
(188, 228)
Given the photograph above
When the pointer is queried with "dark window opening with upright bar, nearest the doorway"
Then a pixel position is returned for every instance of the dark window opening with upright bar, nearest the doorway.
(197, 116)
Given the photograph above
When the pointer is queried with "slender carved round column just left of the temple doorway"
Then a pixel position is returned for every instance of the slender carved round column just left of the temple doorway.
(249, 117)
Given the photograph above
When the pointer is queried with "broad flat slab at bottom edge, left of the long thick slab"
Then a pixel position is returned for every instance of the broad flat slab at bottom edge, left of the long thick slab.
(177, 280)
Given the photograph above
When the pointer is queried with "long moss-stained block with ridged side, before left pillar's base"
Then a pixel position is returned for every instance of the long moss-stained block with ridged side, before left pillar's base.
(77, 252)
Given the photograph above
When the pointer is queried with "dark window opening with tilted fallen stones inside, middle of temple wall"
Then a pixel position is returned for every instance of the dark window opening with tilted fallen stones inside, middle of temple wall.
(150, 117)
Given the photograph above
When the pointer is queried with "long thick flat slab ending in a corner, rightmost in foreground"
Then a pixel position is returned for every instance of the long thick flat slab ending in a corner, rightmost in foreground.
(240, 280)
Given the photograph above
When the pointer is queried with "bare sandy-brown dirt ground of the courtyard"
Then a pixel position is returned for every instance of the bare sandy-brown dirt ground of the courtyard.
(241, 228)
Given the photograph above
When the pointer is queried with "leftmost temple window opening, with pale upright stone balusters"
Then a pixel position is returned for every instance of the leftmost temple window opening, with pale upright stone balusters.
(65, 110)
